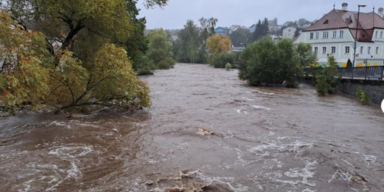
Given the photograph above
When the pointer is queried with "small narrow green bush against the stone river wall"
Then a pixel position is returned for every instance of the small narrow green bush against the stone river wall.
(326, 80)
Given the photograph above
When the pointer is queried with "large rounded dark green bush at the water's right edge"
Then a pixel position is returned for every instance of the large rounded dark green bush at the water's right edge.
(266, 62)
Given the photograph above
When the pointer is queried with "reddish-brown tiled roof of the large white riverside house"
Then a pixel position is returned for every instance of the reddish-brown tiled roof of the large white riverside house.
(340, 19)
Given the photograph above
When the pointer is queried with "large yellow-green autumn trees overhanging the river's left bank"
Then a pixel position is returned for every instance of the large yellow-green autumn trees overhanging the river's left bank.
(72, 54)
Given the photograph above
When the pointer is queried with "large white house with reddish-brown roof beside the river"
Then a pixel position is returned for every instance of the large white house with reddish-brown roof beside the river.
(335, 34)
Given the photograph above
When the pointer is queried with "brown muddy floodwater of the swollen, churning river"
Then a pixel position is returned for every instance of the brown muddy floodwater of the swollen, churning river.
(207, 131)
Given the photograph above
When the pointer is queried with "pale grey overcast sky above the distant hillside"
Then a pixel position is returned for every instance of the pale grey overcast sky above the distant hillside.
(244, 12)
